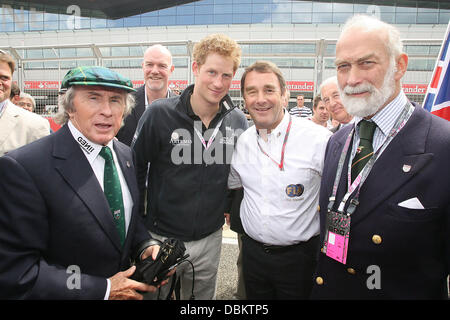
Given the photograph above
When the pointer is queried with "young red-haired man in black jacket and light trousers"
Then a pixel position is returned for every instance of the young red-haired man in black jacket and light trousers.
(185, 143)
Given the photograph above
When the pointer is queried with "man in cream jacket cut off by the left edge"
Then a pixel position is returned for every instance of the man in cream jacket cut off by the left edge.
(18, 127)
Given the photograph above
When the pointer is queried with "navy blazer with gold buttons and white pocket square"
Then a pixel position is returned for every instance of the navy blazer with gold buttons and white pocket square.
(407, 249)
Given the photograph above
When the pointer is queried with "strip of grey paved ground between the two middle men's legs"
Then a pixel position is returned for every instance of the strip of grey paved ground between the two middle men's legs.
(227, 275)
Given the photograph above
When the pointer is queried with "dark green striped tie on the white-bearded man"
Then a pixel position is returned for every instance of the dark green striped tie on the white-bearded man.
(365, 148)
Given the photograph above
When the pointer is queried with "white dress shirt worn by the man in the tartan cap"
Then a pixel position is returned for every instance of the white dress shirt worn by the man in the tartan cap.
(98, 166)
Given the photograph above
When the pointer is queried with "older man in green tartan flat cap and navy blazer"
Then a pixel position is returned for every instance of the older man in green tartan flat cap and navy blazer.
(69, 226)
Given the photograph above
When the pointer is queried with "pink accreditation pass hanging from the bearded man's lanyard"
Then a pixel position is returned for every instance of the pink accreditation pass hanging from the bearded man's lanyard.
(338, 232)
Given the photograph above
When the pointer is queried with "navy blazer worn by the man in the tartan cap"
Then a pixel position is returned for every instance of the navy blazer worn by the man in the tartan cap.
(53, 215)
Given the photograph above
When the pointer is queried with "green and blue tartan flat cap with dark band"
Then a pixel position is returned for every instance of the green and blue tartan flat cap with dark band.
(96, 76)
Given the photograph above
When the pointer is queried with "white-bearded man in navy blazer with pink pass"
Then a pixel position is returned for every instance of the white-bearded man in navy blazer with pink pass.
(392, 240)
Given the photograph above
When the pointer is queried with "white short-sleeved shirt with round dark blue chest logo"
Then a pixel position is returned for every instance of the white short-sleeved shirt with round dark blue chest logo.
(280, 207)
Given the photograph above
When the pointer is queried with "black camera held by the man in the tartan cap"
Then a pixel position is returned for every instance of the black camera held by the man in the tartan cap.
(153, 272)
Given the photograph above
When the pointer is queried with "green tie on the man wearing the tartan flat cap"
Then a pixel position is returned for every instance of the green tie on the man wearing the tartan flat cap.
(113, 192)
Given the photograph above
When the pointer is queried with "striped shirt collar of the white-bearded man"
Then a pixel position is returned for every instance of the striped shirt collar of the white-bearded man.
(385, 118)
